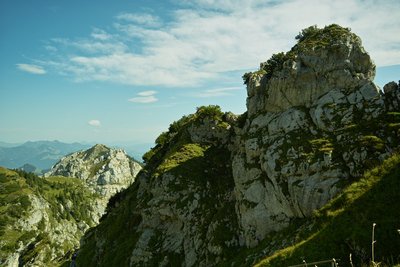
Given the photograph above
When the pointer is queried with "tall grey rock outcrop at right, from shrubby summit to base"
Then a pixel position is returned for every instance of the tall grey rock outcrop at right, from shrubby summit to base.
(307, 133)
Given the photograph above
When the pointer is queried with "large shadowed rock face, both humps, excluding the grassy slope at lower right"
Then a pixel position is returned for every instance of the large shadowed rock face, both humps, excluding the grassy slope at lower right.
(218, 183)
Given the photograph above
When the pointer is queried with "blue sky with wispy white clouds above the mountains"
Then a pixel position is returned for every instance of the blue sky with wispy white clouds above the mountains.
(123, 70)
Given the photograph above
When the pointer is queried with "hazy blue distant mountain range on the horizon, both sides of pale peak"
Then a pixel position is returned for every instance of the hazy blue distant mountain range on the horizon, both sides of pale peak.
(44, 154)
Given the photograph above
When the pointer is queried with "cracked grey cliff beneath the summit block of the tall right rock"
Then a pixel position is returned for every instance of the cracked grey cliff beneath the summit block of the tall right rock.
(288, 164)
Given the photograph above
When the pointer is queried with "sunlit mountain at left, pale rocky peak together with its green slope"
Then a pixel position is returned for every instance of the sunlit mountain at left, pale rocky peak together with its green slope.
(42, 219)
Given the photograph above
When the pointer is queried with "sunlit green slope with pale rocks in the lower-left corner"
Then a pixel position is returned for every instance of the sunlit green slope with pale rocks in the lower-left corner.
(43, 219)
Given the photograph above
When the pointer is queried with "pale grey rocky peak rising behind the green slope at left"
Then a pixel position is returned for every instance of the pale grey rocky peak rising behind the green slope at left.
(104, 169)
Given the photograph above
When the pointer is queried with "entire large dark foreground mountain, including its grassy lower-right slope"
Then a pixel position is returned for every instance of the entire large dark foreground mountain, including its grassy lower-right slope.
(220, 189)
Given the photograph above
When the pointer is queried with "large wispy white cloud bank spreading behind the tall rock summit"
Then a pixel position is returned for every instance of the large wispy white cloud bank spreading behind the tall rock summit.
(207, 38)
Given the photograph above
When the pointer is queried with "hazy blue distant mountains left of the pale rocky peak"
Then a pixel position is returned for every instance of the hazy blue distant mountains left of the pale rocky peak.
(41, 154)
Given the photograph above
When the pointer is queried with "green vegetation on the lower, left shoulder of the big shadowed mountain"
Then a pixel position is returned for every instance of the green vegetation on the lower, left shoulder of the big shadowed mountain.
(197, 169)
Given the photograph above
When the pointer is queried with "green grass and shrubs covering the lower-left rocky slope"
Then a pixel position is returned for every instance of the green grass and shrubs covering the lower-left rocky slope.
(15, 191)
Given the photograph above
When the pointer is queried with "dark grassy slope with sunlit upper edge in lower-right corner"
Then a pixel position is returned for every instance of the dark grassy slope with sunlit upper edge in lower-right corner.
(344, 225)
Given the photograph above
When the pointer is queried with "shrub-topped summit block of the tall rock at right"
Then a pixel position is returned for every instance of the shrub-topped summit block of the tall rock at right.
(322, 60)
